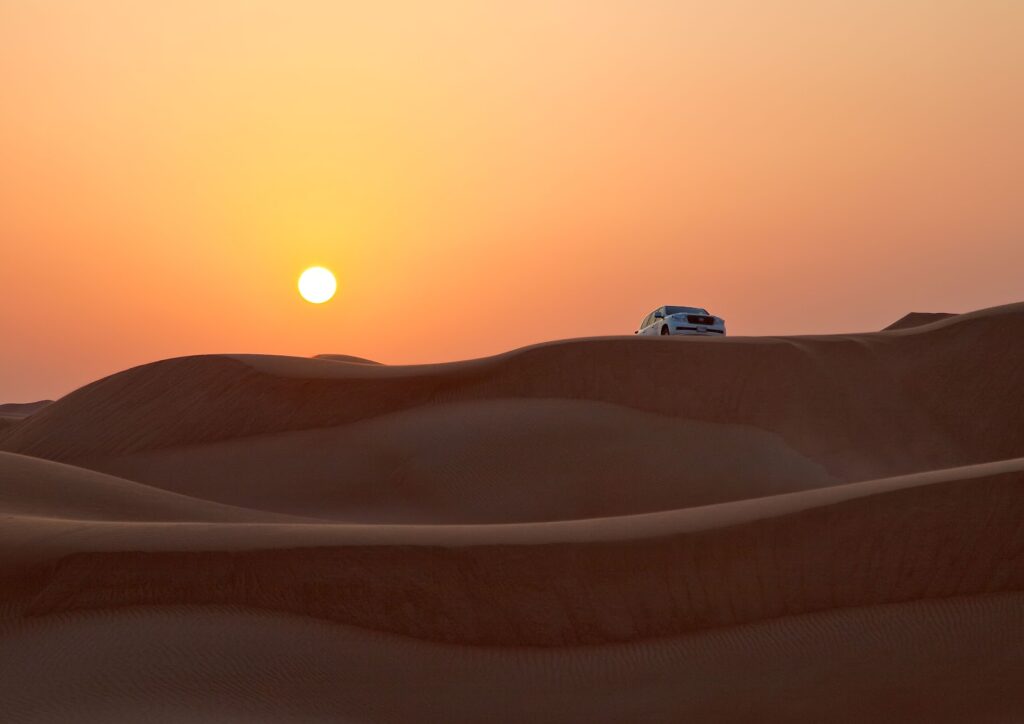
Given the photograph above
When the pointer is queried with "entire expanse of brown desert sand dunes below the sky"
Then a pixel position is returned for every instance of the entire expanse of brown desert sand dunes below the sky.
(606, 530)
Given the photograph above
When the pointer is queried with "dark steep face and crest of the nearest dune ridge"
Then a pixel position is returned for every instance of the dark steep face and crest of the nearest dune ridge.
(916, 540)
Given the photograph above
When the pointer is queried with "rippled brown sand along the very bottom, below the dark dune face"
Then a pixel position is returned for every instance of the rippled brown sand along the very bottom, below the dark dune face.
(952, 661)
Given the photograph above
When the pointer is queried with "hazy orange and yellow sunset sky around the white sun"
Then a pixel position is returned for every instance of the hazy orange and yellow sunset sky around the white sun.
(485, 178)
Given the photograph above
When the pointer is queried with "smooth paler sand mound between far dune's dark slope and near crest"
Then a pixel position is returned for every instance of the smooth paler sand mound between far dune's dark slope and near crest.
(484, 461)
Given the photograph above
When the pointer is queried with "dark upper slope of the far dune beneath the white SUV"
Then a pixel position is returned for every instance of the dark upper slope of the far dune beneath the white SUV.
(864, 406)
